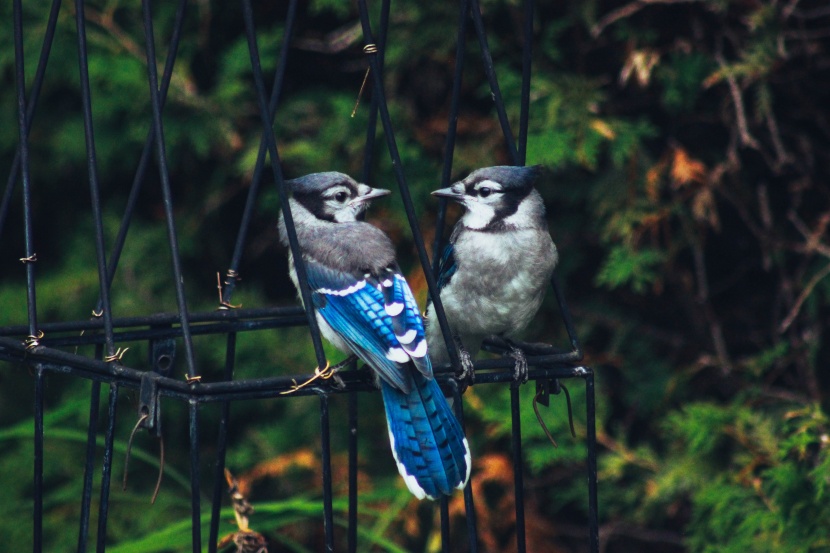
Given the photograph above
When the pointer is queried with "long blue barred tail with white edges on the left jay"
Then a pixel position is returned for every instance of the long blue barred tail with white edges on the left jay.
(427, 441)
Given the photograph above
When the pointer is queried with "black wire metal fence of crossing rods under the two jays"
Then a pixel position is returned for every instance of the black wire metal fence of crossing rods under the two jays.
(45, 348)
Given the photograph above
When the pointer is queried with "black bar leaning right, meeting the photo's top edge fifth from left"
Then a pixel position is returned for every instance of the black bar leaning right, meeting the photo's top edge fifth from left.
(144, 160)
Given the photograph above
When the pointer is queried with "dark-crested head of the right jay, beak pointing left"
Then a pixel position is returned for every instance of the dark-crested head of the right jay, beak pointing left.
(494, 195)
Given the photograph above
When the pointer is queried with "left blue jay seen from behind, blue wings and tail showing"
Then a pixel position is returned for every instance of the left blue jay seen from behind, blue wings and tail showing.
(364, 305)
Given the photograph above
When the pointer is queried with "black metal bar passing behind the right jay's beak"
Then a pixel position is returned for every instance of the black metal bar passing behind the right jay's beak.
(452, 129)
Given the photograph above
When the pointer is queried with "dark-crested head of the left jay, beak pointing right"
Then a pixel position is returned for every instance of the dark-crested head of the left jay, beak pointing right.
(333, 196)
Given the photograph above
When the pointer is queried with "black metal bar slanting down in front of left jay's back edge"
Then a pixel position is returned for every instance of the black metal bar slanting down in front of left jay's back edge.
(282, 188)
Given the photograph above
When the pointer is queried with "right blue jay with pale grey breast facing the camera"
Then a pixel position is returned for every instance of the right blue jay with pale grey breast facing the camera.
(494, 271)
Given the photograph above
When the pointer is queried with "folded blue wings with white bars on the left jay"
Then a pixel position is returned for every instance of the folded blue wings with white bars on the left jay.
(376, 316)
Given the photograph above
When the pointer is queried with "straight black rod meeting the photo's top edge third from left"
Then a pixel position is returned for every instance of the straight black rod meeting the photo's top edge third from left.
(94, 188)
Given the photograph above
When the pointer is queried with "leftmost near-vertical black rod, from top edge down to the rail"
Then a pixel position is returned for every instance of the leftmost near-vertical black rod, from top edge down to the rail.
(20, 81)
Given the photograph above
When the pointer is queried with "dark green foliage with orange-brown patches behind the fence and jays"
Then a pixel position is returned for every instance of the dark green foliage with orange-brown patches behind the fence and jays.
(687, 201)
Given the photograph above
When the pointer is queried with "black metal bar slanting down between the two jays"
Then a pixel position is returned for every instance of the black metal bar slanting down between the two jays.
(397, 165)
